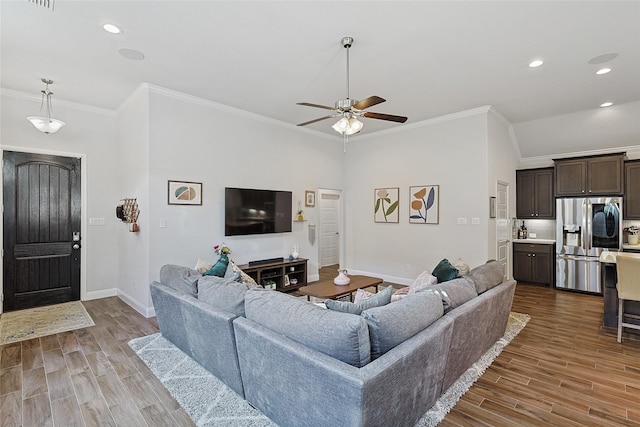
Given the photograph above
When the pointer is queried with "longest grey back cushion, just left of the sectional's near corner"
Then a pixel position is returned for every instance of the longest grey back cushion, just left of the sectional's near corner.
(342, 336)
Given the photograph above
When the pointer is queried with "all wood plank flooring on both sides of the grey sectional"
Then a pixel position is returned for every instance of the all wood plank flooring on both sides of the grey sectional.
(562, 369)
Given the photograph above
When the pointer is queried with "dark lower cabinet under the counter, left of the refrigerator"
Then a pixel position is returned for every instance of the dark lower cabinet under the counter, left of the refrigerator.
(534, 263)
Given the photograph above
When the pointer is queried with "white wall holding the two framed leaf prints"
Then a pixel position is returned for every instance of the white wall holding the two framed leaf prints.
(450, 152)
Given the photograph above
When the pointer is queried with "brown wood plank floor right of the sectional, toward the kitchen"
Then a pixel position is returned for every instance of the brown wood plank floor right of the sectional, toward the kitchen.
(563, 369)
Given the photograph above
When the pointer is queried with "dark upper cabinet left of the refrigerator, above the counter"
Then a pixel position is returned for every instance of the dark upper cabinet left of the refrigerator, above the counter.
(534, 194)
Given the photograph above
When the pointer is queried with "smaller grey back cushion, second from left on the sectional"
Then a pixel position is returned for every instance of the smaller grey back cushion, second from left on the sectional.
(223, 294)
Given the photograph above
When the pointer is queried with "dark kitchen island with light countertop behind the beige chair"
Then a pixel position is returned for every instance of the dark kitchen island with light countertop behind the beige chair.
(609, 279)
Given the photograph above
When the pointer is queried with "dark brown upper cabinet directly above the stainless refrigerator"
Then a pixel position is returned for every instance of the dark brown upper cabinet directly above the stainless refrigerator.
(590, 176)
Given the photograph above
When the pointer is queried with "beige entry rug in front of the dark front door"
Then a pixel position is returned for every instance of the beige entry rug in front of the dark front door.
(41, 321)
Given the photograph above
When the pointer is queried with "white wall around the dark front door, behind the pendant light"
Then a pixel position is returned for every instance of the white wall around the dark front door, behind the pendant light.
(91, 134)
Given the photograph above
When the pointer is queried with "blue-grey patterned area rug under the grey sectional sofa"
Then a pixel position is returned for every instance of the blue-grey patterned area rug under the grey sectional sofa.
(192, 386)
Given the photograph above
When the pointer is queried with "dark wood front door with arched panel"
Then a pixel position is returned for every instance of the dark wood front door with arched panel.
(41, 230)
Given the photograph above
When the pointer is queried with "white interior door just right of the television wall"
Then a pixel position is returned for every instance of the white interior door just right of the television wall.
(329, 233)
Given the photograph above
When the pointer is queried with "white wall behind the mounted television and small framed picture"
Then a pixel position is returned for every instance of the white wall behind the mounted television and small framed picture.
(195, 140)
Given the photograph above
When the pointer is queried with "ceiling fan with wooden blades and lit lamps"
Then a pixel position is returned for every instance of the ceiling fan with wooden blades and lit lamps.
(350, 109)
